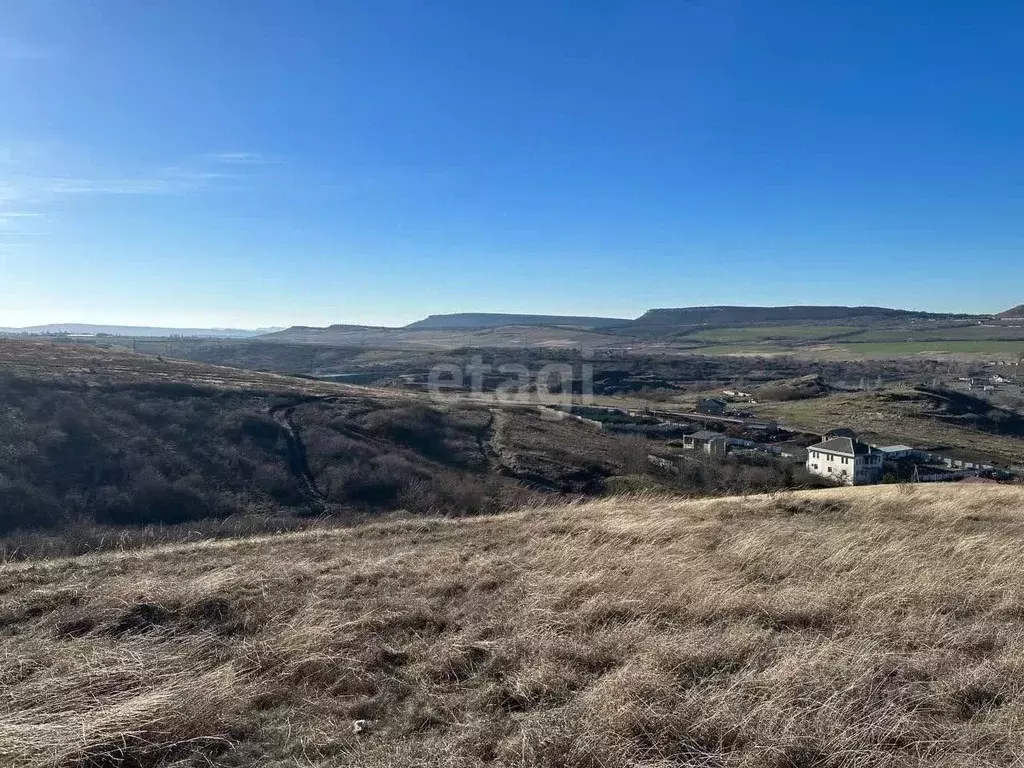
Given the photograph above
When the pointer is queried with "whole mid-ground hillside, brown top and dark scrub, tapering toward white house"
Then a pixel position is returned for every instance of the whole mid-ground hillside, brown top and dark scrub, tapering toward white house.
(112, 450)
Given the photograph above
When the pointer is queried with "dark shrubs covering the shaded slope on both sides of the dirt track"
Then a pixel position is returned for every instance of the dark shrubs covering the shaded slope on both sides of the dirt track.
(80, 463)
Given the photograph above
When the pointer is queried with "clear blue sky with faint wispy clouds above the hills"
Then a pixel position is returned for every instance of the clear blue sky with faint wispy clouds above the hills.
(261, 162)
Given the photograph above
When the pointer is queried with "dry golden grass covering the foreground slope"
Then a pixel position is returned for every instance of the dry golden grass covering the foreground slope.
(864, 627)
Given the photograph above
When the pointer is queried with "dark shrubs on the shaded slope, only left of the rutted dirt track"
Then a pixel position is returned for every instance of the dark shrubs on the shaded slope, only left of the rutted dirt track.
(136, 455)
